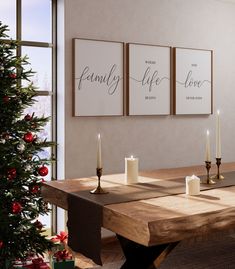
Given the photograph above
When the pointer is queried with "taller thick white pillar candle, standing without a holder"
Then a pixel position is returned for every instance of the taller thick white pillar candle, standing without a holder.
(131, 170)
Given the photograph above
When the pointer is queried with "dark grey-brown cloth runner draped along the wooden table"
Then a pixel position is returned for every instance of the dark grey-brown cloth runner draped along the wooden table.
(85, 210)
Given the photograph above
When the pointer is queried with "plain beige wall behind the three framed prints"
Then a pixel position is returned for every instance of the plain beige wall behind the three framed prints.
(158, 141)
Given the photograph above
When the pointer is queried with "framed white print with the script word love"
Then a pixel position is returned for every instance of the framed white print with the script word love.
(192, 81)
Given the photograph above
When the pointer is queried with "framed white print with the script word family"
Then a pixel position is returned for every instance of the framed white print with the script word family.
(98, 78)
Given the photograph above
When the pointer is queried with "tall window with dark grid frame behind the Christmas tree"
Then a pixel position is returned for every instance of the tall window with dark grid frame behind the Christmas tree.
(32, 24)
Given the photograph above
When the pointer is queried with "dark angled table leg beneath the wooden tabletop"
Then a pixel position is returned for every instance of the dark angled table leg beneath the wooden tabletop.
(142, 257)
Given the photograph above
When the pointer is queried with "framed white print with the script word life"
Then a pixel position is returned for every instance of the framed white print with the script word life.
(148, 79)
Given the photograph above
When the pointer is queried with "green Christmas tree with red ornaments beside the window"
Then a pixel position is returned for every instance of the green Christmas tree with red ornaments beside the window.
(21, 168)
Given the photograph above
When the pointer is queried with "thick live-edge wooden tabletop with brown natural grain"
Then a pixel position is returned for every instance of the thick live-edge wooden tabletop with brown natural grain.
(157, 220)
